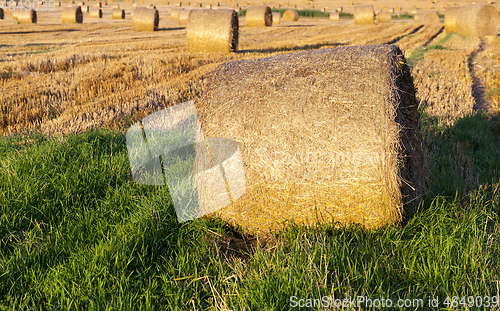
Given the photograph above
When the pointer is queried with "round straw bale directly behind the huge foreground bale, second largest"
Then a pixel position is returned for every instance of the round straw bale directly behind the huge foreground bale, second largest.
(212, 31)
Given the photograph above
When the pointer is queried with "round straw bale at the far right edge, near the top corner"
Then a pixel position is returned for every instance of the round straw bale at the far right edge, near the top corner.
(477, 20)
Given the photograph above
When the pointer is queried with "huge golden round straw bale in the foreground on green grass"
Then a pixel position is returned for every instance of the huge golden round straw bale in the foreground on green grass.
(324, 135)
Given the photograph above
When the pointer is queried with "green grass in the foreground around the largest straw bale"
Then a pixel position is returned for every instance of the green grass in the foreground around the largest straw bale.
(76, 233)
